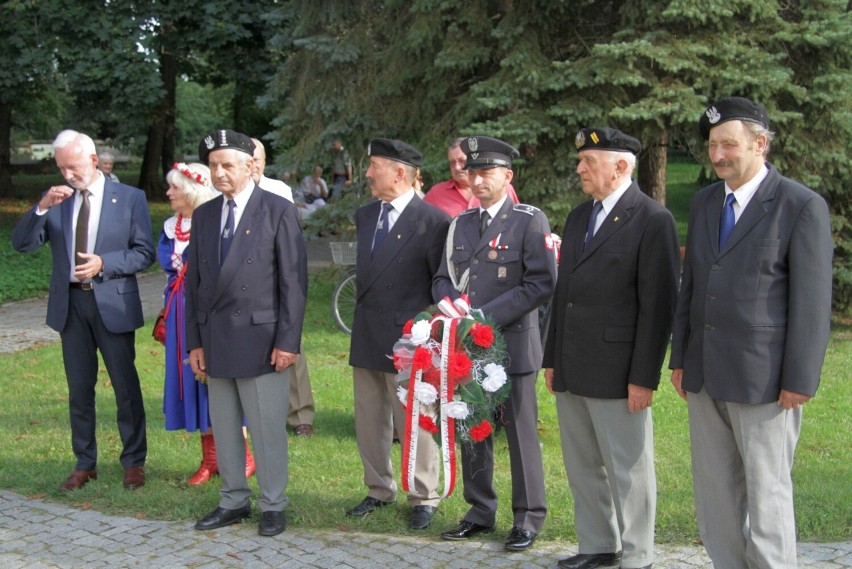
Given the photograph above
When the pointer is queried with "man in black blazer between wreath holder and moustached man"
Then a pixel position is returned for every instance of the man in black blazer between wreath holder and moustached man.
(606, 342)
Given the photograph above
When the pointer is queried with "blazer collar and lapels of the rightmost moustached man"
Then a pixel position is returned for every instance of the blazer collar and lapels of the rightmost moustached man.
(757, 207)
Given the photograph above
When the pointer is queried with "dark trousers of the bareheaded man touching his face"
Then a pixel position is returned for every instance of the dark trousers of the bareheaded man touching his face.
(85, 334)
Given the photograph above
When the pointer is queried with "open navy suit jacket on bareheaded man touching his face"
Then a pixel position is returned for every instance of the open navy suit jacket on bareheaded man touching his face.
(124, 243)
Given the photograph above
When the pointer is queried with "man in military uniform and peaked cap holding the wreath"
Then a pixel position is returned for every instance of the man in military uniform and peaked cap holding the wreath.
(501, 255)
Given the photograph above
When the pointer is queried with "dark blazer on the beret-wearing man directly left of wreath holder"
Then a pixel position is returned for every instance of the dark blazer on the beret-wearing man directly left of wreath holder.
(395, 284)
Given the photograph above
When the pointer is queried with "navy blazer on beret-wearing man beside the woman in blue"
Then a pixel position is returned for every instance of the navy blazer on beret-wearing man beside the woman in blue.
(238, 311)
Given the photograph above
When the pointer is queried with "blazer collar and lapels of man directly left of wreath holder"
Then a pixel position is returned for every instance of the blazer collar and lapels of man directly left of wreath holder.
(369, 266)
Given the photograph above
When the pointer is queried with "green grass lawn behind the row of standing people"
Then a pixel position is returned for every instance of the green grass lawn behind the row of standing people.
(325, 471)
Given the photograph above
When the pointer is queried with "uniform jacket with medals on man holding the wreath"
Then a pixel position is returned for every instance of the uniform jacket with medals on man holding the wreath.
(508, 279)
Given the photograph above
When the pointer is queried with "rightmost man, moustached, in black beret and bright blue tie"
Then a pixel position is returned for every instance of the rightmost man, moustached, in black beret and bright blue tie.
(750, 334)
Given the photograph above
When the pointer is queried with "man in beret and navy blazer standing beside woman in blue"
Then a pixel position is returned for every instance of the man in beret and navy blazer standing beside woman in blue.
(246, 287)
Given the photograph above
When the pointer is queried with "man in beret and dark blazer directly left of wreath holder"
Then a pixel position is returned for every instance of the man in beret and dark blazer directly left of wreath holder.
(400, 239)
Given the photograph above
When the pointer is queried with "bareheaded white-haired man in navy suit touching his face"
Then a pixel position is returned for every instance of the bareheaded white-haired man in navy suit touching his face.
(100, 237)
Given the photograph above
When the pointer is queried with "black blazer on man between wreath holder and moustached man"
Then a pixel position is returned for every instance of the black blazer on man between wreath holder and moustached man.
(614, 302)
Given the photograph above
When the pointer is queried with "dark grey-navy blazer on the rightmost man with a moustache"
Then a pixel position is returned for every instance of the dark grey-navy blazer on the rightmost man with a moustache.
(754, 318)
